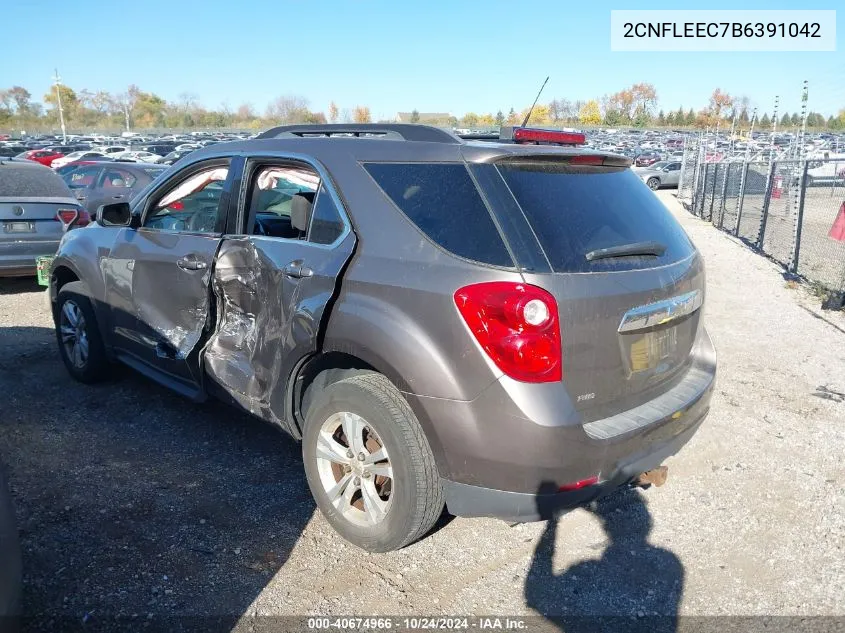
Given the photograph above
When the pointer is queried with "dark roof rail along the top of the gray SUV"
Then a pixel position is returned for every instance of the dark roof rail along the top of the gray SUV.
(393, 131)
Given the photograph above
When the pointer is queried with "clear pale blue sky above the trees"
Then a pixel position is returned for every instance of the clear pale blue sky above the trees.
(433, 56)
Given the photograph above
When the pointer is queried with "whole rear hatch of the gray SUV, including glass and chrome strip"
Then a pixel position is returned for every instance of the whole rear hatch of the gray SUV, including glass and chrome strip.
(628, 281)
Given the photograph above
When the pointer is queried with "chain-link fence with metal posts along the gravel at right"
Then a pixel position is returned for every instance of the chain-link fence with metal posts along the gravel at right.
(793, 210)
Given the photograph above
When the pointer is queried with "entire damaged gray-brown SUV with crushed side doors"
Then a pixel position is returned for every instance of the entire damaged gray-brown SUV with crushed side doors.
(509, 327)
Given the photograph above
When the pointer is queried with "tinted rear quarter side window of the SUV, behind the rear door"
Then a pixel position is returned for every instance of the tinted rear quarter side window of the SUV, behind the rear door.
(442, 200)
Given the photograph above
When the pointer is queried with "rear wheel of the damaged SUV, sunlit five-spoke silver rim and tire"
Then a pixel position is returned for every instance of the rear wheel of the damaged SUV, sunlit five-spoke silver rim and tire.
(369, 465)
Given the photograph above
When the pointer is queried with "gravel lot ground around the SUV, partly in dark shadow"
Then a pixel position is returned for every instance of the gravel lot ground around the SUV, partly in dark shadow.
(133, 502)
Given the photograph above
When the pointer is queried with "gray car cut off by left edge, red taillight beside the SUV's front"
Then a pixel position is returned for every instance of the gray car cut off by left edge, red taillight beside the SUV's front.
(36, 209)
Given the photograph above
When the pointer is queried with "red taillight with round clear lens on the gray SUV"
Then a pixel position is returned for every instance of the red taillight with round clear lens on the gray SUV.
(517, 326)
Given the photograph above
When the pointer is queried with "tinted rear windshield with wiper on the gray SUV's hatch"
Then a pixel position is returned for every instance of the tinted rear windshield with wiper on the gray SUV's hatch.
(575, 210)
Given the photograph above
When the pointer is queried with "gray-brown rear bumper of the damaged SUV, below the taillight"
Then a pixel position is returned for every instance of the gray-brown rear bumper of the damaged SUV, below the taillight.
(501, 453)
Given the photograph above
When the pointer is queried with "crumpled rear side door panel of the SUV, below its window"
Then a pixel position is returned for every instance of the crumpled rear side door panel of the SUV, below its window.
(268, 320)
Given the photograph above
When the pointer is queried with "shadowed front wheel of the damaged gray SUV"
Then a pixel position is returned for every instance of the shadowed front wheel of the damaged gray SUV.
(78, 336)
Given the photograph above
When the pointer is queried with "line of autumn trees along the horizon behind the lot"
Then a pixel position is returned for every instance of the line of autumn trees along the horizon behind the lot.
(635, 106)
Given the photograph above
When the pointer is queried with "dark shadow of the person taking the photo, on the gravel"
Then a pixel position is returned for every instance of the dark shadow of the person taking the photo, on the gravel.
(633, 586)
